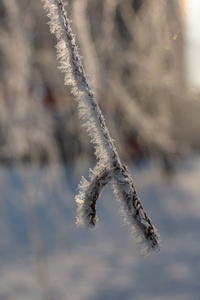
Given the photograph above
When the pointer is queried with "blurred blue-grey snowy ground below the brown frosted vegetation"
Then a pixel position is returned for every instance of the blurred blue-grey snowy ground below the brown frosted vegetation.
(43, 255)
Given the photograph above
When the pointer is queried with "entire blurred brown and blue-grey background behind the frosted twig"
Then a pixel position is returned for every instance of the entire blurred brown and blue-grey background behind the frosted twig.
(143, 60)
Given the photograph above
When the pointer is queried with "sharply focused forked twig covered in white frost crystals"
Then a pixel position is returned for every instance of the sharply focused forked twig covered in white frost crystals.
(109, 166)
